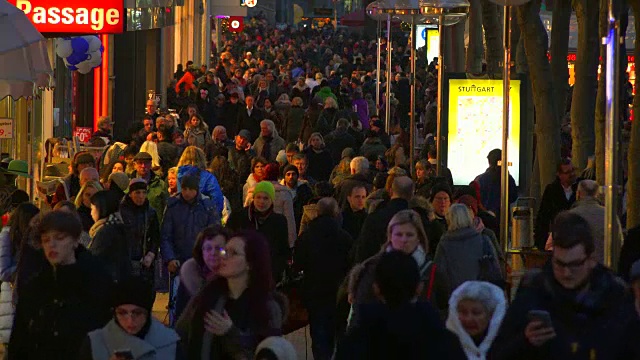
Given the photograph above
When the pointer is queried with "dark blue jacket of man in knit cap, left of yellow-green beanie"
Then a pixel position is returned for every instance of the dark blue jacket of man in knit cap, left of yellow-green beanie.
(182, 223)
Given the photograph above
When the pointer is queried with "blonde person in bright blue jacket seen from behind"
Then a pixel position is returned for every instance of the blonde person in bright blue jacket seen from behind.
(194, 162)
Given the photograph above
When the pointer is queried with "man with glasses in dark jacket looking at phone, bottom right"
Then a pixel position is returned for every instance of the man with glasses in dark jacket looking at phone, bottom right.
(573, 308)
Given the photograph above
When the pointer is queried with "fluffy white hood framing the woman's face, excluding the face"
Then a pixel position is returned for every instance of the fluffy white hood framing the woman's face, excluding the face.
(467, 291)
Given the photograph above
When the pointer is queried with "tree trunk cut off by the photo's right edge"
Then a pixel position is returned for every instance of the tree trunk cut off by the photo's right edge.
(633, 184)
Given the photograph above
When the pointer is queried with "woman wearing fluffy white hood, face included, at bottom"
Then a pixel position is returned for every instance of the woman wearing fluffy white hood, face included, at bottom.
(476, 310)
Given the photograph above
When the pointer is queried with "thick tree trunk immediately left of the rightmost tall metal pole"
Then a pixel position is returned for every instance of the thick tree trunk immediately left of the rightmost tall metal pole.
(585, 88)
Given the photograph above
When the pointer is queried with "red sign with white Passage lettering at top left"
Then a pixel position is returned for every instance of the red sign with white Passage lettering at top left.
(74, 16)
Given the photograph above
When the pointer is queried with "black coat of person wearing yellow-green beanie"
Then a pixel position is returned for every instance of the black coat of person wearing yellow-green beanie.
(274, 228)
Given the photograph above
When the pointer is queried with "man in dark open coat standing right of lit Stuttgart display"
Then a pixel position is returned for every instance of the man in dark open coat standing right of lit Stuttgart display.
(558, 196)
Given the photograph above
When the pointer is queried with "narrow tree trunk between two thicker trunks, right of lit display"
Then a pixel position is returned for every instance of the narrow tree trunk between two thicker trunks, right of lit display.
(559, 51)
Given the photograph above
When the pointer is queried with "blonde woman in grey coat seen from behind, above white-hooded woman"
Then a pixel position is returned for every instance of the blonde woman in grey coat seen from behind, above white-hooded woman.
(461, 249)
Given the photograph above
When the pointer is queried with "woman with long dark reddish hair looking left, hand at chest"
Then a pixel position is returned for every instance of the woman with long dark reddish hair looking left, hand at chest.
(232, 314)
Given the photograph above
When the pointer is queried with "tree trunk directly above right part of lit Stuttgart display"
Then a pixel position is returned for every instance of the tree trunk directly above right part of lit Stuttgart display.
(492, 36)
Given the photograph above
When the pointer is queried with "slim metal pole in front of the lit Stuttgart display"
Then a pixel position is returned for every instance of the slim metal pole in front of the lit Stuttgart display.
(504, 193)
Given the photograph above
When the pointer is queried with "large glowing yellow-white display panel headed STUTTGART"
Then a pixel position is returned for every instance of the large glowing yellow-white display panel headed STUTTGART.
(475, 127)
